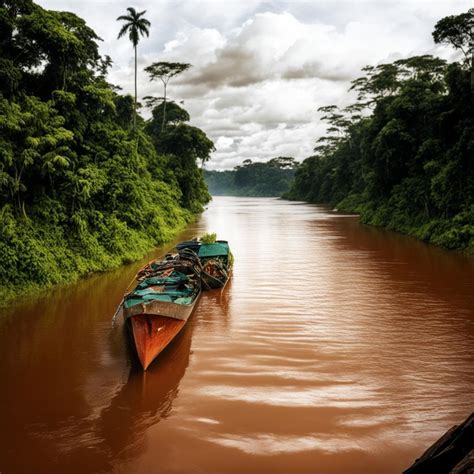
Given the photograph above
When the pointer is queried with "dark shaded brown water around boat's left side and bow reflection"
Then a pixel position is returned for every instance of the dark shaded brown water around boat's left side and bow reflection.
(73, 395)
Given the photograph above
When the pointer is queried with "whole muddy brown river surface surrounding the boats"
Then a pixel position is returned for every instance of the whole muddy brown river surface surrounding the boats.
(336, 348)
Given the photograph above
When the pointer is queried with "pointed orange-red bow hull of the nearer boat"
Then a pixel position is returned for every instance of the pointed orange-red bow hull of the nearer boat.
(152, 333)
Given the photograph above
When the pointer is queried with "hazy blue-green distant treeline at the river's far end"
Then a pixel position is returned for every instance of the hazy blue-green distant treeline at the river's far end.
(268, 179)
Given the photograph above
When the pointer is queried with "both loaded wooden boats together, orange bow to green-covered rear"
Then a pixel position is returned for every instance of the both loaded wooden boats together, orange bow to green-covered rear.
(167, 293)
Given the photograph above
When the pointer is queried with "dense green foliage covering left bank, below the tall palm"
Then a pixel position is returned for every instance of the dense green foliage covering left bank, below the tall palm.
(81, 189)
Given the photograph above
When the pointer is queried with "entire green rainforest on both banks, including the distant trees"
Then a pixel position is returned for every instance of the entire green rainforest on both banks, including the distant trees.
(87, 183)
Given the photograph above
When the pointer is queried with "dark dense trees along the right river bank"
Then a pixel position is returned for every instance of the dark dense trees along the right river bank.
(402, 155)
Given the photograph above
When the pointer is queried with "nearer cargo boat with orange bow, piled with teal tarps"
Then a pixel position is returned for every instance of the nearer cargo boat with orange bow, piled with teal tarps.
(160, 305)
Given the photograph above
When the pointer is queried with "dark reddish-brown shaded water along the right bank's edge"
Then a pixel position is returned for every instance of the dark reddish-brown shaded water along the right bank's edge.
(407, 263)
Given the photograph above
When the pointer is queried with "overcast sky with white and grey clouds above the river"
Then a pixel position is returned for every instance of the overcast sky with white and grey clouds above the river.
(261, 69)
